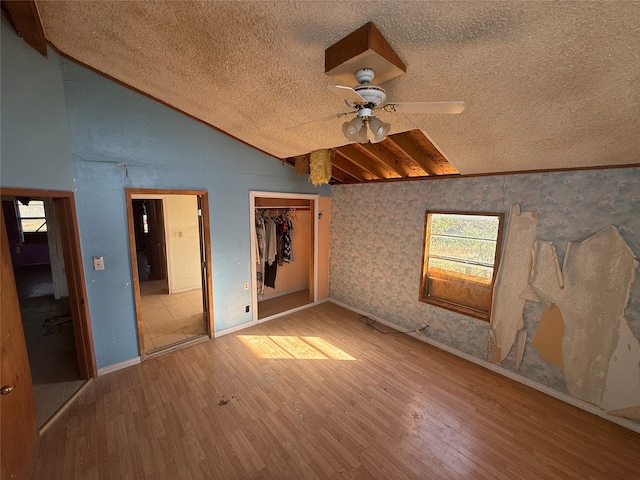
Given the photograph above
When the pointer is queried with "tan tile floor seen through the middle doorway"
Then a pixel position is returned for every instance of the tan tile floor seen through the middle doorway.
(169, 319)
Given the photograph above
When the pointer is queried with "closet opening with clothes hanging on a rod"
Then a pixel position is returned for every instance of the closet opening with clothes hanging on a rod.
(284, 259)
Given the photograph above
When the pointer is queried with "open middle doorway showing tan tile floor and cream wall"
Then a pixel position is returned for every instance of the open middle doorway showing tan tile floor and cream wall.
(168, 232)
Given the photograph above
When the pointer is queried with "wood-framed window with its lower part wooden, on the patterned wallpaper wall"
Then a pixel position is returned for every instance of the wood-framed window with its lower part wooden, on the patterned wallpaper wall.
(460, 258)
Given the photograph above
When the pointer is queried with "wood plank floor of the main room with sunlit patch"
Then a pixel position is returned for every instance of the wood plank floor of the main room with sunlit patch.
(316, 394)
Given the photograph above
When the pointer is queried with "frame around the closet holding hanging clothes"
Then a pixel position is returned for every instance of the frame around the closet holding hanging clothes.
(314, 204)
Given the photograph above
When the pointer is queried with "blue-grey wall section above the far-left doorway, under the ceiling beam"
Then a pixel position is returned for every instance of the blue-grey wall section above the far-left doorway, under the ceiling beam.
(36, 141)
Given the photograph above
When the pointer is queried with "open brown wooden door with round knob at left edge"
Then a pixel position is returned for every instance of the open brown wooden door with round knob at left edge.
(18, 420)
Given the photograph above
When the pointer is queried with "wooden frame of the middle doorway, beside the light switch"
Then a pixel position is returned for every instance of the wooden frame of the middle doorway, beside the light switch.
(208, 292)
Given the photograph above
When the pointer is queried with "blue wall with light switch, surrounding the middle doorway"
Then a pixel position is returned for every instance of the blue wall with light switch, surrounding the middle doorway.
(123, 139)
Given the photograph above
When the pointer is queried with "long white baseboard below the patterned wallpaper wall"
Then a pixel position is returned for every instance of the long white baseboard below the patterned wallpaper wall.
(504, 372)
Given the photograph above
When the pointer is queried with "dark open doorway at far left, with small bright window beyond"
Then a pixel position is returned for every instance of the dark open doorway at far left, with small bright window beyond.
(45, 255)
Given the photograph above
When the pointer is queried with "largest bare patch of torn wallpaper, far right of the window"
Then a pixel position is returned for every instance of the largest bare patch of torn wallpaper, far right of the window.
(591, 290)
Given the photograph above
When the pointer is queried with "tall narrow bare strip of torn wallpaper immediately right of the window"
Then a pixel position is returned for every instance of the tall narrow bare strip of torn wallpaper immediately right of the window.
(512, 280)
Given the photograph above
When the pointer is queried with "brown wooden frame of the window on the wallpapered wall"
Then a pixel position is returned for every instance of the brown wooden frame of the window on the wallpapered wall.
(449, 305)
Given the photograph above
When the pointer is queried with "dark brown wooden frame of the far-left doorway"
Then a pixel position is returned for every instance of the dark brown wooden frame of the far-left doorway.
(65, 205)
